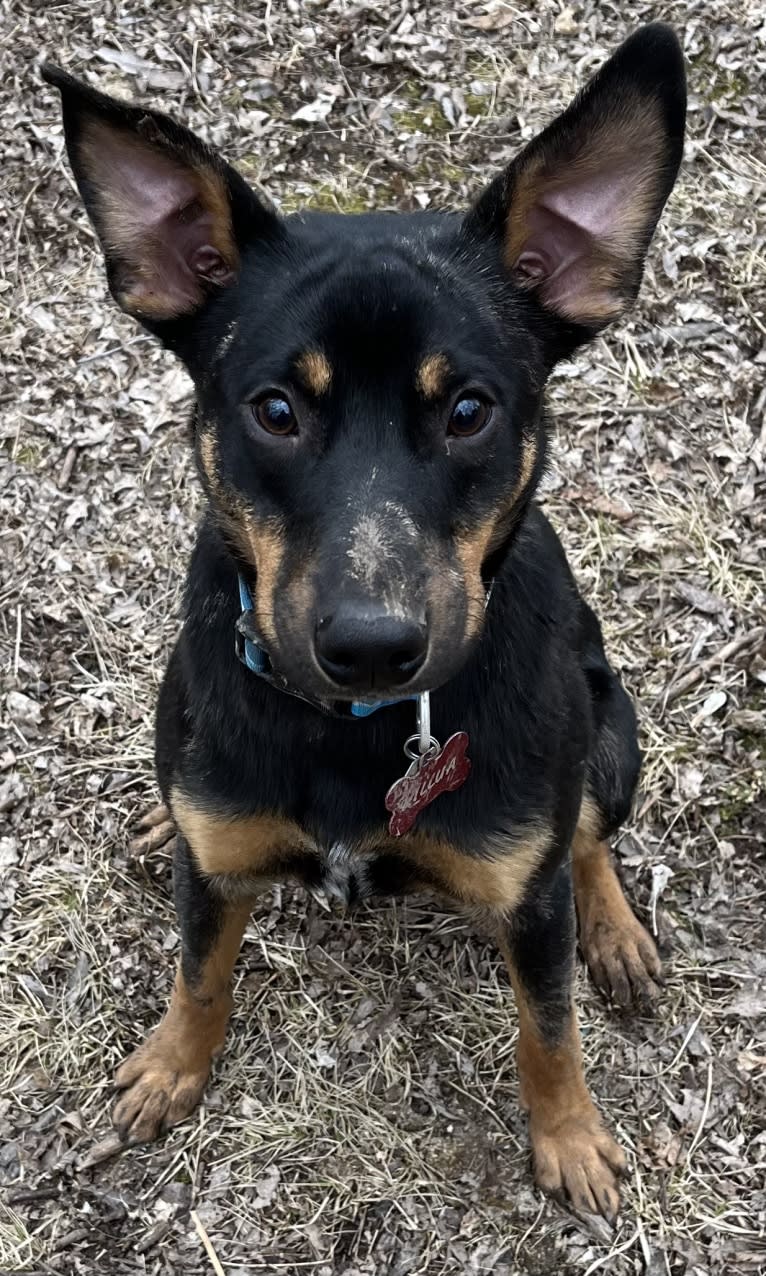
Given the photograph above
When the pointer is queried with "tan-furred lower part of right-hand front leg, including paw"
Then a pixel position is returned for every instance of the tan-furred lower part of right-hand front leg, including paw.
(575, 1158)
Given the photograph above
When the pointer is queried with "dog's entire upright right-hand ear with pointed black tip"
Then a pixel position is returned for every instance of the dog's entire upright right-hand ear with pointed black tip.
(578, 209)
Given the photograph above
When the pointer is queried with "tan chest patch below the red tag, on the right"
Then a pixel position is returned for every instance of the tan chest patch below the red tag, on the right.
(497, 882)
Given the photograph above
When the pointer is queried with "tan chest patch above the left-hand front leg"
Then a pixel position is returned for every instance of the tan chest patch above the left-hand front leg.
(222, 845)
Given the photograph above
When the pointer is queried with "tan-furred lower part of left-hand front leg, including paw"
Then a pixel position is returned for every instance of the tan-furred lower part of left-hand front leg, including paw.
(164, 1080)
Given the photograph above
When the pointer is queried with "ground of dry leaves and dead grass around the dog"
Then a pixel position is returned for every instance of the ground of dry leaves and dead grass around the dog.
(364, 1118)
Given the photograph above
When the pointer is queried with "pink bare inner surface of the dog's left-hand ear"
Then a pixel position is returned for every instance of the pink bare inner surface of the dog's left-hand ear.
(158, 219)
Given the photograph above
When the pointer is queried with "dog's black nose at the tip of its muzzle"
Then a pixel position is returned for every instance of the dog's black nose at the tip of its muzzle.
(370, 649)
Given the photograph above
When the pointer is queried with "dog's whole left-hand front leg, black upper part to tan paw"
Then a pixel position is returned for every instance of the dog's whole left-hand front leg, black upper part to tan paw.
(164, 1080)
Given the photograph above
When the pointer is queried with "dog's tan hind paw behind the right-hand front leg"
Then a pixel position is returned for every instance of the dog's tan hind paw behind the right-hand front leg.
(624, 960)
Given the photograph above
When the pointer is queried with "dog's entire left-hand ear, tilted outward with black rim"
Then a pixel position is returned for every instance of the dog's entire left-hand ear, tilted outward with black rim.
(170, 214)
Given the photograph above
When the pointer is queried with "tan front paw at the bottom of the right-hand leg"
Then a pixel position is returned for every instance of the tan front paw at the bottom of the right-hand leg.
(580, 1164)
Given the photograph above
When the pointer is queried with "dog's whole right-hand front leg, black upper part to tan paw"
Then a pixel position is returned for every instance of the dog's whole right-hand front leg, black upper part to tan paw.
(575, 1158)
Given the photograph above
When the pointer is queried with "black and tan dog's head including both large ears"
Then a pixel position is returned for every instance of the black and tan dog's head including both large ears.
(370, 424)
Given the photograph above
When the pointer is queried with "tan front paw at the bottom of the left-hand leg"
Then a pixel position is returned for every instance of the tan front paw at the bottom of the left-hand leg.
(161, 1089)
